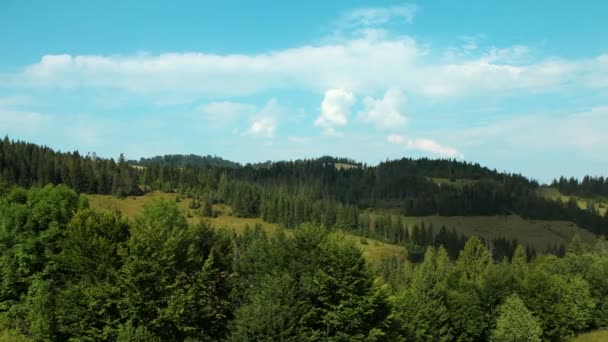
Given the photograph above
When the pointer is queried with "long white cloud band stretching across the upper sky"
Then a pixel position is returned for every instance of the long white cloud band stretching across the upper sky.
(363, 65)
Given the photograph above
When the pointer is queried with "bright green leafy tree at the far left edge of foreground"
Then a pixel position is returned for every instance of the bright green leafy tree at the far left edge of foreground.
(31, 228)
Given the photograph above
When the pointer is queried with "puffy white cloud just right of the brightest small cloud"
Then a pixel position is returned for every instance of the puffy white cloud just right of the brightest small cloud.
(387, 112)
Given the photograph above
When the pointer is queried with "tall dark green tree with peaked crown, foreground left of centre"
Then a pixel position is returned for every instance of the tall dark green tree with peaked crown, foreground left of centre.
(173, 281)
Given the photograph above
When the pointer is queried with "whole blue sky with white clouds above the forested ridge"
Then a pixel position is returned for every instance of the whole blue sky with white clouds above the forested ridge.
(518, 86)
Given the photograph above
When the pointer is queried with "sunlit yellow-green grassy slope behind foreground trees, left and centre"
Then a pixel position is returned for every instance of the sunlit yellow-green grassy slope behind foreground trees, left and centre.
(373, 250)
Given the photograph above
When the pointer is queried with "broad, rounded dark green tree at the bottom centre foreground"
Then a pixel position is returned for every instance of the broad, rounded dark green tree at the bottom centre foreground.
(312, 287)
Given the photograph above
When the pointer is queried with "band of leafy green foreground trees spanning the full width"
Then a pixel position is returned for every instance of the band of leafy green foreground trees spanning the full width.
(72, 273)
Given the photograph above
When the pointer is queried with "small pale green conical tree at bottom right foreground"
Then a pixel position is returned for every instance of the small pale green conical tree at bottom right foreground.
(516, 323)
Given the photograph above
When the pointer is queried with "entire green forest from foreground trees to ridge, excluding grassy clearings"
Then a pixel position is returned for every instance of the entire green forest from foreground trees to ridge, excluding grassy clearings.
(71, 272)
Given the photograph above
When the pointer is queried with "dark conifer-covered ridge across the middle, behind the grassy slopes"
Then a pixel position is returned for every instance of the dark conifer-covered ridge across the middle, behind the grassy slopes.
(294, 192)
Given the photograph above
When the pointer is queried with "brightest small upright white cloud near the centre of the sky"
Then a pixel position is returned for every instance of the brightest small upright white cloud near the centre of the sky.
(335, 107)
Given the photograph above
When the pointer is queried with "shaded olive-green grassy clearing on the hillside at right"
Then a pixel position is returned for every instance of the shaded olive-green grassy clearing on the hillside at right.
(540, 234)
